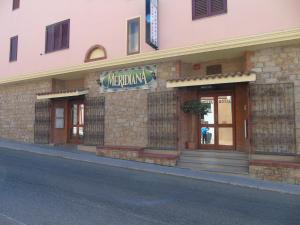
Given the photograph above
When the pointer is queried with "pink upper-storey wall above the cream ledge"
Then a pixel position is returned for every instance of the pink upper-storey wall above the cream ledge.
(104, 22)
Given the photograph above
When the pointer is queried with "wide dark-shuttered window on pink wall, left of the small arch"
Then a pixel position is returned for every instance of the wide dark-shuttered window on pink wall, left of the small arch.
(57, 36)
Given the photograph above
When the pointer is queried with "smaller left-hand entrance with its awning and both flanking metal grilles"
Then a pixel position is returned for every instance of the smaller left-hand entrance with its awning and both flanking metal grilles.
(69, 117)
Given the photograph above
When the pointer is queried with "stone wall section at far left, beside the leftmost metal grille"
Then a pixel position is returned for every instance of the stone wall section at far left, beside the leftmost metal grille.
(17, 105)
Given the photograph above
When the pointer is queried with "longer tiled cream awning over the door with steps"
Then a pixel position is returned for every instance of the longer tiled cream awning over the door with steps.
(211, 79)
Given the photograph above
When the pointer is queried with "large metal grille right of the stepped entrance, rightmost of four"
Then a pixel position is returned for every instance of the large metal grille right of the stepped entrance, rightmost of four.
(273, 118)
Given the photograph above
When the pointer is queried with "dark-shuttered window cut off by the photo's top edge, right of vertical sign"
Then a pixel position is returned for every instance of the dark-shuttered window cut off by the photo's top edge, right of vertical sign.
(205, 8)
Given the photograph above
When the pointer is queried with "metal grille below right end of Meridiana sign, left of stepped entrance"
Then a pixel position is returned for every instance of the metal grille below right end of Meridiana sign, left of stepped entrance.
(162, 120)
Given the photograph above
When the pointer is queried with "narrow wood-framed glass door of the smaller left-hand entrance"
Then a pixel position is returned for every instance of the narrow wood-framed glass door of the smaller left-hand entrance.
(76, 123)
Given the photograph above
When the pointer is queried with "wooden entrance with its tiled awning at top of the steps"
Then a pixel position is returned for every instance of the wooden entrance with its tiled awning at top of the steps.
(227, 124)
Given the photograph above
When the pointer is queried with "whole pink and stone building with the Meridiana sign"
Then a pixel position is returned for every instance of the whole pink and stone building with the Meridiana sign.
(116, 76)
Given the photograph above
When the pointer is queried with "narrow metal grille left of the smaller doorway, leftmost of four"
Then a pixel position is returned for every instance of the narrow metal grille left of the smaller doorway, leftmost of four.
(42, 122)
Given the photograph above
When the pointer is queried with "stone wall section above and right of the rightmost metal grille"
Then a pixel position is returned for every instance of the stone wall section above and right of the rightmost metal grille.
(280, 65)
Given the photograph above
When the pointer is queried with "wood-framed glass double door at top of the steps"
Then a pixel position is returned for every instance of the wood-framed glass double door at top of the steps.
(217, 126)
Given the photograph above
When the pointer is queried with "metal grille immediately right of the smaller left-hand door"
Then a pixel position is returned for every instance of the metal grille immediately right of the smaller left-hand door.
(94, 116)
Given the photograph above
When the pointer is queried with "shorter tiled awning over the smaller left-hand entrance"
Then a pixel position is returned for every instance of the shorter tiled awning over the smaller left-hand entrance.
(62, 94)
